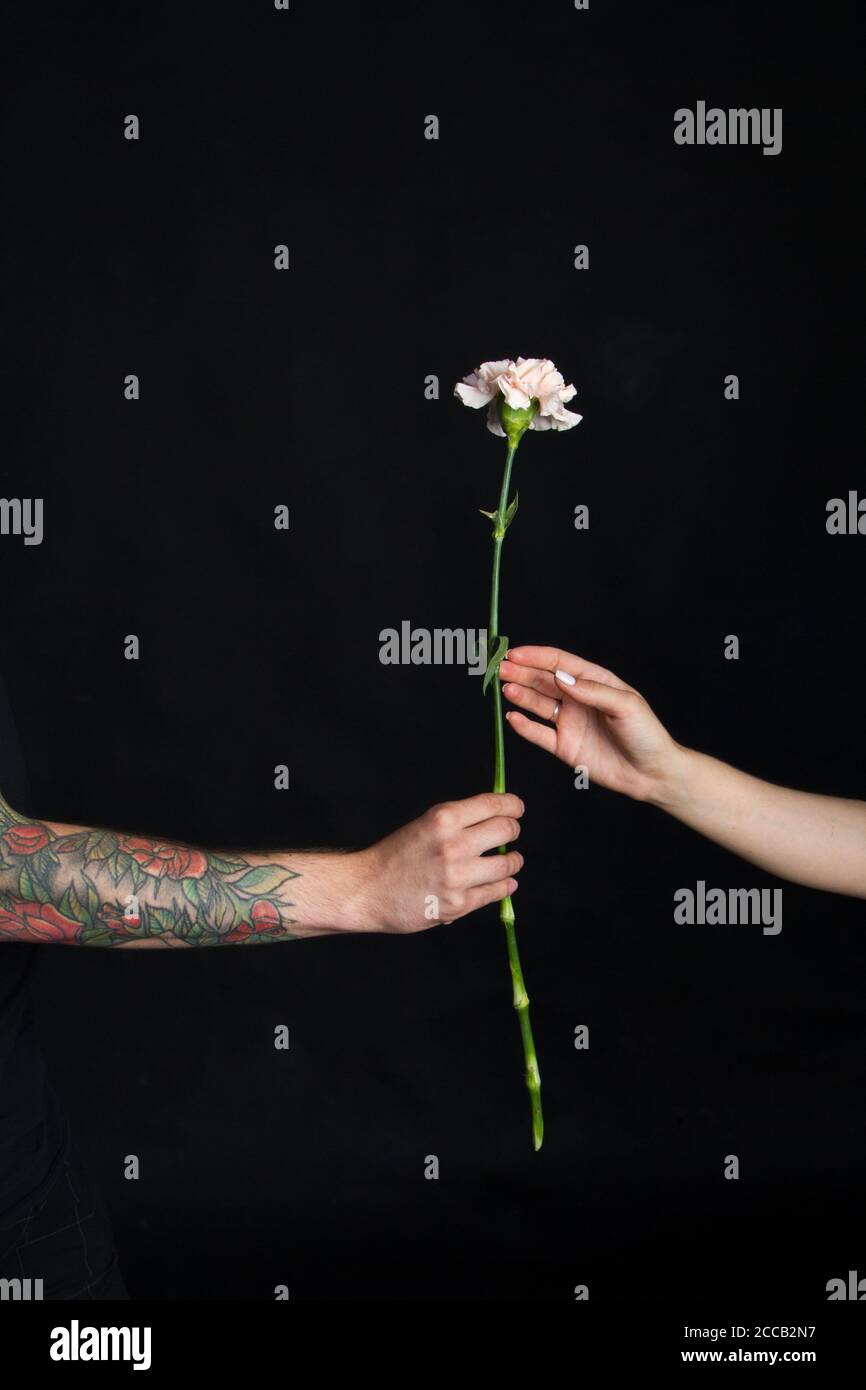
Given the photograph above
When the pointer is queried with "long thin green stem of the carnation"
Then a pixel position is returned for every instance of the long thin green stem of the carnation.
(507, 908)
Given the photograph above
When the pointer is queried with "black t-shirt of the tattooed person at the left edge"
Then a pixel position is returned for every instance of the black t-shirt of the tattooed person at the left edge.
(34, 1134)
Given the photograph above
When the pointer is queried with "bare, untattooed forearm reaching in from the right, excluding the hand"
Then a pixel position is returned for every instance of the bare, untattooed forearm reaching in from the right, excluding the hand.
(814, 840)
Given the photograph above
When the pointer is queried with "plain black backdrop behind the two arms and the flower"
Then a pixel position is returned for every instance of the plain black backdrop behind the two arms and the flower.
(307, 387)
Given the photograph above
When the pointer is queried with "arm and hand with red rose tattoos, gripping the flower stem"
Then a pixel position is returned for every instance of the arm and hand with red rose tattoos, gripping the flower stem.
(77, 886)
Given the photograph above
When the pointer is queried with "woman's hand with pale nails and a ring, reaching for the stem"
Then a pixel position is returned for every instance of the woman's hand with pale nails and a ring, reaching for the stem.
(604, 725)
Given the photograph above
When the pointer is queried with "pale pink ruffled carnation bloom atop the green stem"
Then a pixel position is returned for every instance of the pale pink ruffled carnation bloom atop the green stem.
(519, 384)
